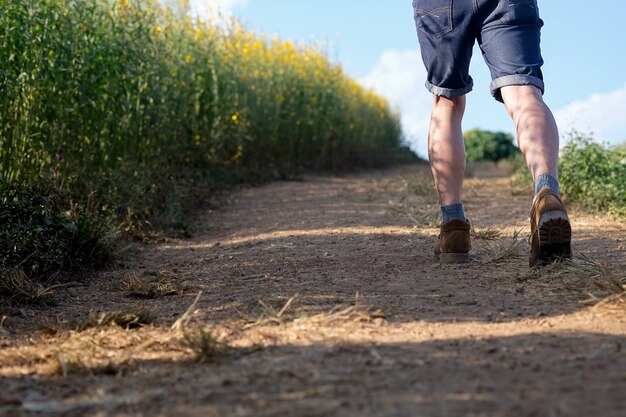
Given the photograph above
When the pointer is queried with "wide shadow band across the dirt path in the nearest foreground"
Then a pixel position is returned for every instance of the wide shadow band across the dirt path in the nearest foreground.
(578, 374)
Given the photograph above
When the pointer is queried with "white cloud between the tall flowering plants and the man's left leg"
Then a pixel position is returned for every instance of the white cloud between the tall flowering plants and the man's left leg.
(399, 76)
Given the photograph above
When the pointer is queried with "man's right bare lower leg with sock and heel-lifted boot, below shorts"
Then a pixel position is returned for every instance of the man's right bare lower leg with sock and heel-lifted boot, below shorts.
(538, 140)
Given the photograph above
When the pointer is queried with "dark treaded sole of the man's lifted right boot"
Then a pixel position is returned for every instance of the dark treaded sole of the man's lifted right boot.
(555, 238)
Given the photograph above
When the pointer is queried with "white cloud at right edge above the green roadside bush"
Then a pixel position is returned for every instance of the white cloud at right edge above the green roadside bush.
(602, 114)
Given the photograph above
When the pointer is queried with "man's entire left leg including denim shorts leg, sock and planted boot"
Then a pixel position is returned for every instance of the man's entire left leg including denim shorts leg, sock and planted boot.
(446, 33)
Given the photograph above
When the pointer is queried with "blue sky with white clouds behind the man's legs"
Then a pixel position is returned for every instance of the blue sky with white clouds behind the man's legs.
(375, 41)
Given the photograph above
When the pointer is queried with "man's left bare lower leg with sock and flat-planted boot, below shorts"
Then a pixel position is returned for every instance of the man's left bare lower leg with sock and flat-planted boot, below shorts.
(447, 160)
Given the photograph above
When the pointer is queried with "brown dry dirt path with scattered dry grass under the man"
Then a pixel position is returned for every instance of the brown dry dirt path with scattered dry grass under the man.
(319, 297)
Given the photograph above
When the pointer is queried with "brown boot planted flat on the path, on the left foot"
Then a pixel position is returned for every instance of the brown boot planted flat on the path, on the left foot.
(454, 243)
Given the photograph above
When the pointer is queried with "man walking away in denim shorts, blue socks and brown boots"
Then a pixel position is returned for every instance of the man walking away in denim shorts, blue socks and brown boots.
(508, 33)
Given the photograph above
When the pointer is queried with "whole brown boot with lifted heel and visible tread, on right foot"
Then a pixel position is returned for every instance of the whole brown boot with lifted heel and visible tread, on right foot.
(550, 230)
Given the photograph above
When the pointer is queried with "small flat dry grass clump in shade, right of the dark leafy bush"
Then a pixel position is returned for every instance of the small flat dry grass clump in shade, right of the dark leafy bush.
(150, 285)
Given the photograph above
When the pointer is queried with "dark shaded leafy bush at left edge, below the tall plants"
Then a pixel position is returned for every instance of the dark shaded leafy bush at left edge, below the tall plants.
(40, 238)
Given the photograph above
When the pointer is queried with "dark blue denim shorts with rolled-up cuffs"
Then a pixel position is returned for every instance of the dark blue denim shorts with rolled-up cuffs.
(508, 33)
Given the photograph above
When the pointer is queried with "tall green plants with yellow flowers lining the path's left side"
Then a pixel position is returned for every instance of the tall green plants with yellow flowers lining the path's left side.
(111, 107)
